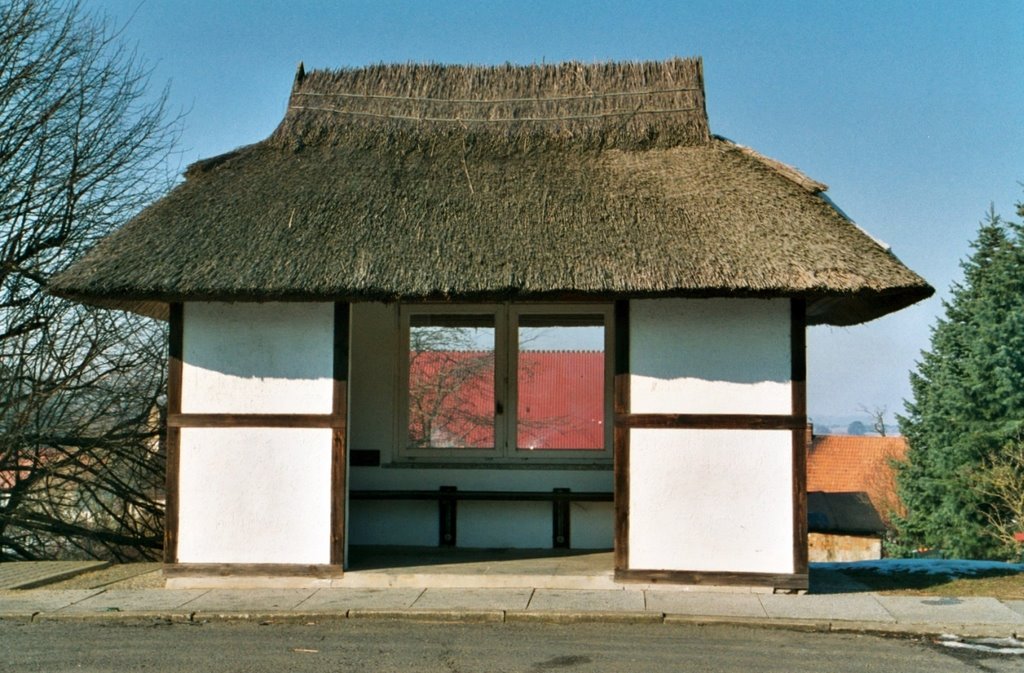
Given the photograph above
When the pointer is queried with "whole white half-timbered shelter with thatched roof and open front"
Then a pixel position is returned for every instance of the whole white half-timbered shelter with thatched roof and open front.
(496, 208)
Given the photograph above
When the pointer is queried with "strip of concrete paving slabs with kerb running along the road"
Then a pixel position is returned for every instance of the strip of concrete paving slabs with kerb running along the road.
(849, 612)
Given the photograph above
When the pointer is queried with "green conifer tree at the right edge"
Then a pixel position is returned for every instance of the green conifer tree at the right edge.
(968, 401)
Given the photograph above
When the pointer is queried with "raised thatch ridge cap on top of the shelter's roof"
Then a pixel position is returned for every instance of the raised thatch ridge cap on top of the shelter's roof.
(630, 105)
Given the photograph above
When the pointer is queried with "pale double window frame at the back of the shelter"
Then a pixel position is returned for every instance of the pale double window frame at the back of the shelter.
(505, 452)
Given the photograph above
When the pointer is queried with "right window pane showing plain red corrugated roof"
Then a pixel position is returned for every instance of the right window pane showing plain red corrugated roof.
(561, 383)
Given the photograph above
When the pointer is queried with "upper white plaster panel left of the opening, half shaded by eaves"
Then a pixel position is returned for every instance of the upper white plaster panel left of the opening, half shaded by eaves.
(258, 359)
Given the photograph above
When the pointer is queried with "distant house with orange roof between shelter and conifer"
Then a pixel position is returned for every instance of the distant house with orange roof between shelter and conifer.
(851, 494)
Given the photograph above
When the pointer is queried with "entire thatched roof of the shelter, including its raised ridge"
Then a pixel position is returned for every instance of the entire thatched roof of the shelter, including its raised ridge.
(543, 182)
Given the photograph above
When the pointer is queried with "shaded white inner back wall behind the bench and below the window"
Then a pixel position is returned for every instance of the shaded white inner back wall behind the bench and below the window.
(373, 377)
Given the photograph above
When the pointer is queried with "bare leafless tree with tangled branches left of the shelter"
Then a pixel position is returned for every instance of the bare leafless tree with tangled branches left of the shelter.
(82, 149)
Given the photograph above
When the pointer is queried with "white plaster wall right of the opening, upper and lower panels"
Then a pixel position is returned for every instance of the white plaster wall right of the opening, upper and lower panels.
(706, 500)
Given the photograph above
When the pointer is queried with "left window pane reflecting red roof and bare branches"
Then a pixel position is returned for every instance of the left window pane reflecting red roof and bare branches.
(452, 382)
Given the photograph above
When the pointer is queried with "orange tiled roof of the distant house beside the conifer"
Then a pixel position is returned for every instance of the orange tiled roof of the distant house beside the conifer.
(840, 464)
